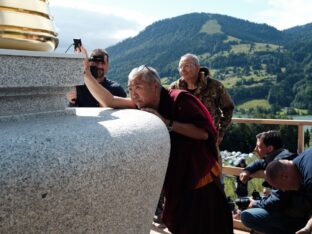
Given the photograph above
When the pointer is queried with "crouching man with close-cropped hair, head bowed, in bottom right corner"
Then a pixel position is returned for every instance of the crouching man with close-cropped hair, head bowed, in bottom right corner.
(289, 209)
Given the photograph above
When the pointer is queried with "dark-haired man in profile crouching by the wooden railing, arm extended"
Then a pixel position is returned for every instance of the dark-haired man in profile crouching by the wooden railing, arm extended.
(269, 147)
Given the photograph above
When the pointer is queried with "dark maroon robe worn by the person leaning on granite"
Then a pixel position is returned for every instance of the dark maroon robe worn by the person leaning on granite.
(189, 210)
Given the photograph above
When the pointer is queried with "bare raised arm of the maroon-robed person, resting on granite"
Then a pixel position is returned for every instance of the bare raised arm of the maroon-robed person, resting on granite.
(102, 95)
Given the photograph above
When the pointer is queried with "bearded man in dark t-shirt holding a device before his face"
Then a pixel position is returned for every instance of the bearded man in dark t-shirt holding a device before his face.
(80, 96)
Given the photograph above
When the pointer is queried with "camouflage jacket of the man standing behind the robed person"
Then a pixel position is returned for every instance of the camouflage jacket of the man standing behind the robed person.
(214, 96)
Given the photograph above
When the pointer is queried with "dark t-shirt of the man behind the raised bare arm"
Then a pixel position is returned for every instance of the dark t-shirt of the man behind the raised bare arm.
(85, 98)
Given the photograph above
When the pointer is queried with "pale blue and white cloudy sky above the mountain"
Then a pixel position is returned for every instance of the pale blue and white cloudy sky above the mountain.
(102, 23)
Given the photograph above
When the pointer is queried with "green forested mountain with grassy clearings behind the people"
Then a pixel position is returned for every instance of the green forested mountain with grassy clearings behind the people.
(254, 61)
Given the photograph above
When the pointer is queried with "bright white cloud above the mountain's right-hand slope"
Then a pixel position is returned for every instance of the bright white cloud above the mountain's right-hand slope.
(284, 14)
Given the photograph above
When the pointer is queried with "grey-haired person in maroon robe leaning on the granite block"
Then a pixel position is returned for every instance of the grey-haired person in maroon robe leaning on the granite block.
(194, 200)
